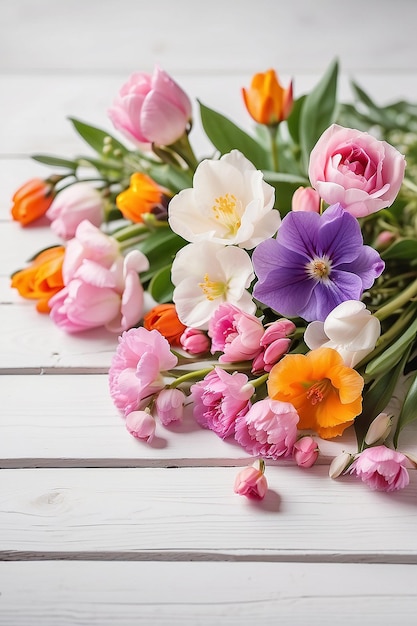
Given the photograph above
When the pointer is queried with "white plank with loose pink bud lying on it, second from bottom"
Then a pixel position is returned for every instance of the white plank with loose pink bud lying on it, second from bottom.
(192, 513)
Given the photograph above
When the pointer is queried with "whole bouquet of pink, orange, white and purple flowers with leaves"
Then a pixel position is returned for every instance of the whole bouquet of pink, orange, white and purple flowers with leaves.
(269, 287)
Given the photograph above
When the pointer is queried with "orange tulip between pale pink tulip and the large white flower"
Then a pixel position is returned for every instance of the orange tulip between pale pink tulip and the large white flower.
(141, 197)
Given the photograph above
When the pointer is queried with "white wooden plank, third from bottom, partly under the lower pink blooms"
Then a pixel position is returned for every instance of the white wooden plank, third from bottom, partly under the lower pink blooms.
(71, 421)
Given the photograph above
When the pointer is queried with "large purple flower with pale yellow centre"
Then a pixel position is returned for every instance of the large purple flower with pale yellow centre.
(315, 263)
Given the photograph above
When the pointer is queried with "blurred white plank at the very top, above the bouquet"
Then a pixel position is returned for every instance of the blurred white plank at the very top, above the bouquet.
(218, 37)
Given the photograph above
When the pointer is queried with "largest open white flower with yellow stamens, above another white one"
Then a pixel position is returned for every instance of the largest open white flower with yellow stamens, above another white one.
(230, 203)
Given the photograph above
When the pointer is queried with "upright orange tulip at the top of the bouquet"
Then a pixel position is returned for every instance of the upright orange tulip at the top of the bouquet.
(266, 100)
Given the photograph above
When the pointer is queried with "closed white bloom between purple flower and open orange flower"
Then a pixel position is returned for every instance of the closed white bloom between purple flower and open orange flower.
(349, 328)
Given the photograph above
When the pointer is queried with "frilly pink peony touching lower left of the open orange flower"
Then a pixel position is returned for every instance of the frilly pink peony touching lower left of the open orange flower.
(268, 429)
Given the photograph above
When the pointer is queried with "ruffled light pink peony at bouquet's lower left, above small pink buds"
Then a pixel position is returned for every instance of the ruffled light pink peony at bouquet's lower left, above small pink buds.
(137, 367)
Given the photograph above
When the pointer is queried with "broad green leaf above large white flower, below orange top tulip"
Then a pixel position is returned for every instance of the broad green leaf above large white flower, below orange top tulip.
(226, 136)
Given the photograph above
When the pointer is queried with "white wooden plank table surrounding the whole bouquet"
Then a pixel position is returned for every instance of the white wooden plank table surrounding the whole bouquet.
(96, 527)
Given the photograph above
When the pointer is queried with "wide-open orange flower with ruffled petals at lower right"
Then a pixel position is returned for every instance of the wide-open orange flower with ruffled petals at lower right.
(325, 392)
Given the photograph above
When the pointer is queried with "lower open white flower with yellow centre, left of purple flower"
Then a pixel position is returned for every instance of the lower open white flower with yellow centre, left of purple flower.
(207, 274)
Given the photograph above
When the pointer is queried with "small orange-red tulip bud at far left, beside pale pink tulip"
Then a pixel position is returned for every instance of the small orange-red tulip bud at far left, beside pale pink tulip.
(31, 201)
